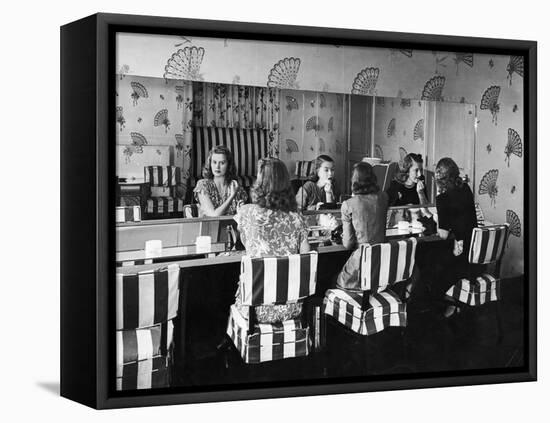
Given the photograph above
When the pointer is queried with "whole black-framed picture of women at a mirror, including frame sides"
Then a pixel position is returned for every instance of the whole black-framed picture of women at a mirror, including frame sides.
(257, 211)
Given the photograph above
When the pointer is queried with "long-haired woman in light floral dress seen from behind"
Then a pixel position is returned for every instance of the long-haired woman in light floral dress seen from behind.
(270, 226)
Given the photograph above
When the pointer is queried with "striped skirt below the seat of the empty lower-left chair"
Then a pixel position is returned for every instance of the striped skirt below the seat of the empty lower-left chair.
(145, 374)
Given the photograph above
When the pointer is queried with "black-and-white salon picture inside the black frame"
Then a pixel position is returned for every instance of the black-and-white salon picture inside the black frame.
(300, 213)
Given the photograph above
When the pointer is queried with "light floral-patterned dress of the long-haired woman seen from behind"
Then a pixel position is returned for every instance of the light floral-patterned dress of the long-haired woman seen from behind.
(266, 232)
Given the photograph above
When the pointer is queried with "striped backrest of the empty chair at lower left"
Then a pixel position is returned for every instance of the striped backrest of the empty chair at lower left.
(148, 298)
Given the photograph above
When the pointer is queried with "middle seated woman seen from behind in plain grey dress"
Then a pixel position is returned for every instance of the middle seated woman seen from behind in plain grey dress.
(363, 220)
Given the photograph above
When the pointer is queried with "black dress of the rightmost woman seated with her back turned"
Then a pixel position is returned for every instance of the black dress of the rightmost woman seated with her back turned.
(457, 214)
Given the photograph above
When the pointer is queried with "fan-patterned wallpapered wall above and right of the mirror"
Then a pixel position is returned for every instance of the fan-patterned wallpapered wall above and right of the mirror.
(492, 82)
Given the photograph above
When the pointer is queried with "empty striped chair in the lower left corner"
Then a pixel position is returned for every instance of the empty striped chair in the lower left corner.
(146, 306)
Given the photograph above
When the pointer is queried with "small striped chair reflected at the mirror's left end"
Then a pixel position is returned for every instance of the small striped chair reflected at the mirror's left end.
(163, 181)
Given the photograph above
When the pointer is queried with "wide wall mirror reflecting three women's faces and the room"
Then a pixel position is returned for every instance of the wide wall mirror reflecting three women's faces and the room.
(320, 138)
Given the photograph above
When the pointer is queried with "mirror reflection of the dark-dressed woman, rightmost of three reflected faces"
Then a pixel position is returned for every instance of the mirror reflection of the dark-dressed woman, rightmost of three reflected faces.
(408, 186)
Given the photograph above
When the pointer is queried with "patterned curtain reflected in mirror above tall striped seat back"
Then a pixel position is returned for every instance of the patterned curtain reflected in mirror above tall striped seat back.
(237, 106)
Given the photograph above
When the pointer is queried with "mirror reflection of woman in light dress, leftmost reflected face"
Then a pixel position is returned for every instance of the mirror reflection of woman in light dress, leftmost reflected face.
(219, 193)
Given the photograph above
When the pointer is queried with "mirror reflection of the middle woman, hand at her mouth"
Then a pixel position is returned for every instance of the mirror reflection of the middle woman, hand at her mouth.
(320, 188)
